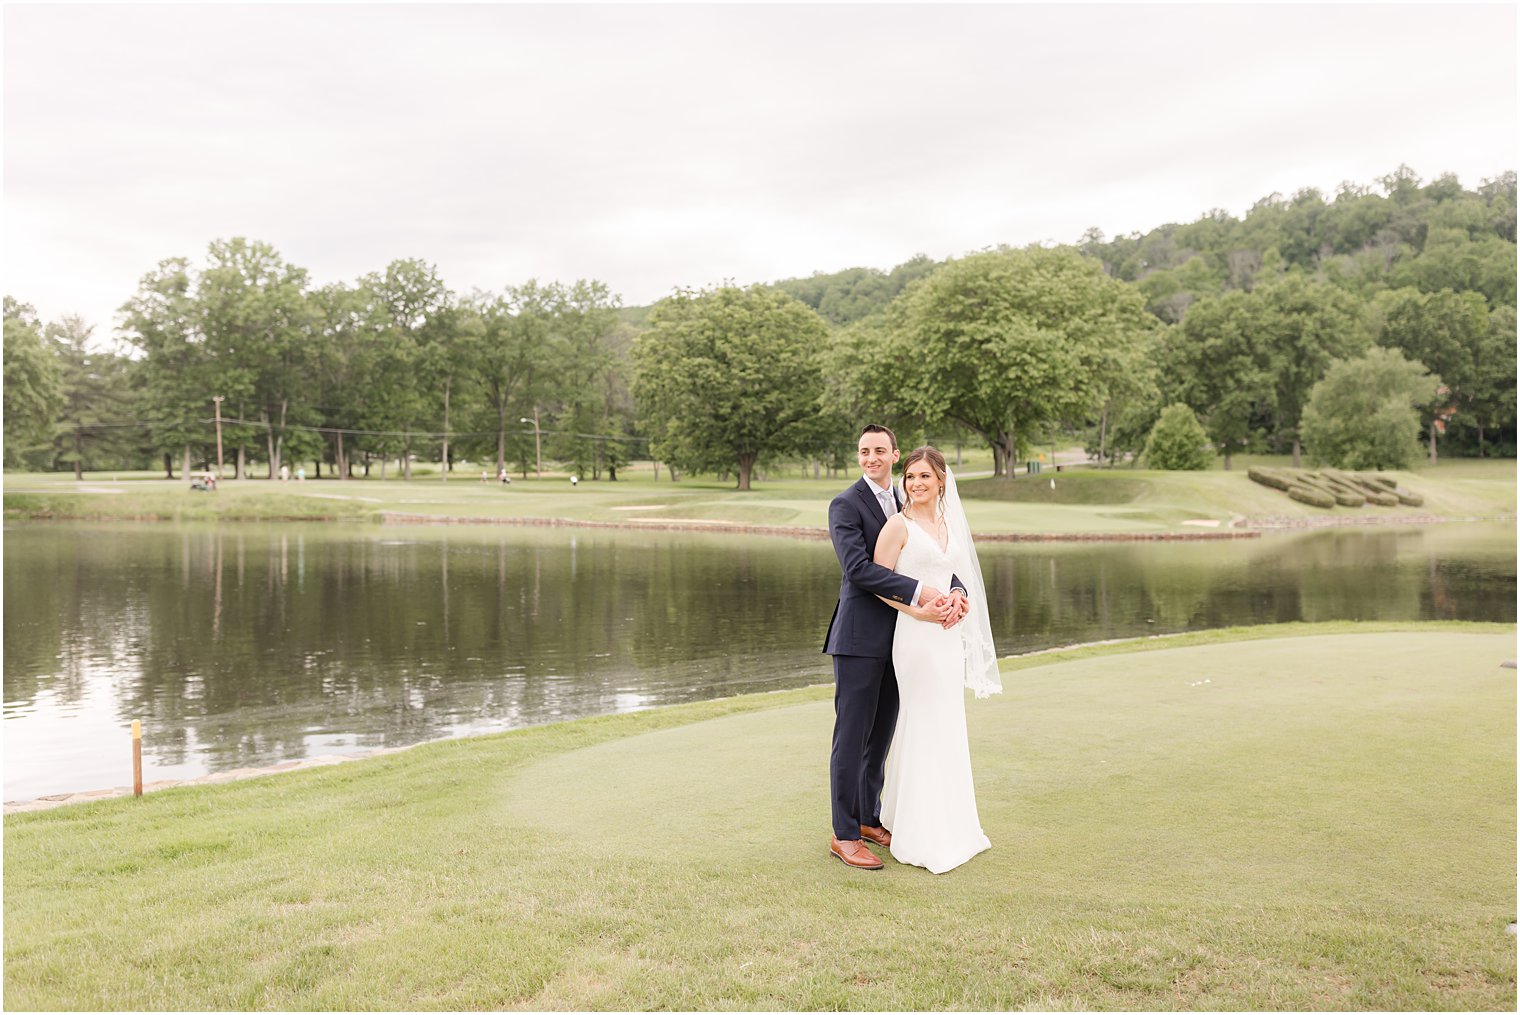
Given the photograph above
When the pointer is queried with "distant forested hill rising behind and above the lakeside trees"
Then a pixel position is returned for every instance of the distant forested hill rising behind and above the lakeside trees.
(1387, 236)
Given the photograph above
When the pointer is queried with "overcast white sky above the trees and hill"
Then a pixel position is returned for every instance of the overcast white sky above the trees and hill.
(660, 147)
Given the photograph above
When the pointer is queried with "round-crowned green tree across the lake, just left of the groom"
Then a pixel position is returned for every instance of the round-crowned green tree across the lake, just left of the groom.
(726, 376)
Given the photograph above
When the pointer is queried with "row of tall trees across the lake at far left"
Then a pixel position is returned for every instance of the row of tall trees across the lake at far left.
(390, 368)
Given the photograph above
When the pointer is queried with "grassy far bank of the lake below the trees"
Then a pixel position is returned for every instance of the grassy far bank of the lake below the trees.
(1072, 502)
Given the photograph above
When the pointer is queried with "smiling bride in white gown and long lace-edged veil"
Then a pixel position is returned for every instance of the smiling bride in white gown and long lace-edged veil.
(929, 803)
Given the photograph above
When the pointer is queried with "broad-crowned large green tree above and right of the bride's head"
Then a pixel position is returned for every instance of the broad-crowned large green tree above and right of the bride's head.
(1010, 343)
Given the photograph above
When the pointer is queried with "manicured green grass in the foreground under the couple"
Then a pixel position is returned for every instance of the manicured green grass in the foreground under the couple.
(1232, 821)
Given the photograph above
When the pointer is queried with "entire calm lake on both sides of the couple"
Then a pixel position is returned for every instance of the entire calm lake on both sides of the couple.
(252, 645)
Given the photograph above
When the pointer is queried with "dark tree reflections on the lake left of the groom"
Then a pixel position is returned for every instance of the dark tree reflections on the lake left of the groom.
(252, 645)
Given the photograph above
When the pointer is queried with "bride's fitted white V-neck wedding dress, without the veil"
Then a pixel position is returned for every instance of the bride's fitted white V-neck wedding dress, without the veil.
(929, 803)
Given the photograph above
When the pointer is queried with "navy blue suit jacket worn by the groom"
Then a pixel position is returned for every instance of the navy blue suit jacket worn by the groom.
(863, 624)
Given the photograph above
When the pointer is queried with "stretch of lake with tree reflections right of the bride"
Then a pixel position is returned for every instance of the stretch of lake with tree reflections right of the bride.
(1068, 593)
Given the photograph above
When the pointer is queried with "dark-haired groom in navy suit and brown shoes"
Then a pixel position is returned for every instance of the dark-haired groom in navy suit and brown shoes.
(861, 642)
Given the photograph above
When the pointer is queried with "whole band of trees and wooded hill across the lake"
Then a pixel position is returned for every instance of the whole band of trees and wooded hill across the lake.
(1238, 320)
